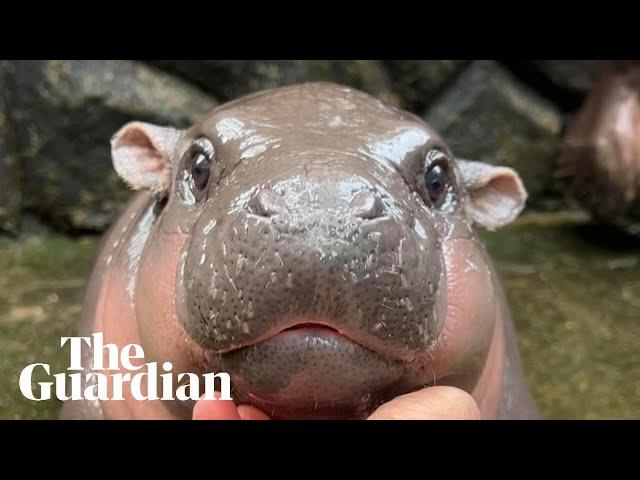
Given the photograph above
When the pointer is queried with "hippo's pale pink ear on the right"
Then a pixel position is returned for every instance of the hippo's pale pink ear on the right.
(496, 195)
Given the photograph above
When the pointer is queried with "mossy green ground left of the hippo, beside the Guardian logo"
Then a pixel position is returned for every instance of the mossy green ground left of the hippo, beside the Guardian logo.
(41, 289)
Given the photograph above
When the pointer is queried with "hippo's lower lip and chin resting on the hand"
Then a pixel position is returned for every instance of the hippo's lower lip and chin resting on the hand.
(311, 369)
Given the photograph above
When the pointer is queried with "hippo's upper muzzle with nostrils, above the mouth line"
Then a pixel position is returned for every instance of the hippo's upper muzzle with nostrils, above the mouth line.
(316, 251)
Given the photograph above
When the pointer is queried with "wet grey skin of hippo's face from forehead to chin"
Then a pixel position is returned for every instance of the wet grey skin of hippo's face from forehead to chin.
(315, 217)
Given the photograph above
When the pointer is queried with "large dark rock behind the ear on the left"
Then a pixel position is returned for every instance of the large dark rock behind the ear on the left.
(65, 113)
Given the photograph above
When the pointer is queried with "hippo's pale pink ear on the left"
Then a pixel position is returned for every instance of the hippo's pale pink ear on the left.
(140, 153)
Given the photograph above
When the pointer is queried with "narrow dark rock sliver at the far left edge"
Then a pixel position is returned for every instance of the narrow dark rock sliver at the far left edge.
(10, 192)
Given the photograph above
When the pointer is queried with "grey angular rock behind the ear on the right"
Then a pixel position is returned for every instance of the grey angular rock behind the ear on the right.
(487, 115)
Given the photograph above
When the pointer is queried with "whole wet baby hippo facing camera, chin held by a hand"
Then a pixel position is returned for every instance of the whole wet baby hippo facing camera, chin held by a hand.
(318, 246)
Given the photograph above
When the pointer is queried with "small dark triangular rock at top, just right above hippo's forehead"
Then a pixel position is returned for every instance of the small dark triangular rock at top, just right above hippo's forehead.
(417, 82)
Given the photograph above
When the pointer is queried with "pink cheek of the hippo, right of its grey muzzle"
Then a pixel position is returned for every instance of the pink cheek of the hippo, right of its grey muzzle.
(465, 340)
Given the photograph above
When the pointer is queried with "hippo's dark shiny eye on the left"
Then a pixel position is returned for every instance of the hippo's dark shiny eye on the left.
(197, 170)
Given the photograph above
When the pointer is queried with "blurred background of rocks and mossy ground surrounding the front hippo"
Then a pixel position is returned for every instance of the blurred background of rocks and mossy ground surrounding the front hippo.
(570, 267)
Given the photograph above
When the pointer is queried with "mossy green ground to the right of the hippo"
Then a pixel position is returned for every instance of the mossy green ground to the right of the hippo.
(574, 291)
